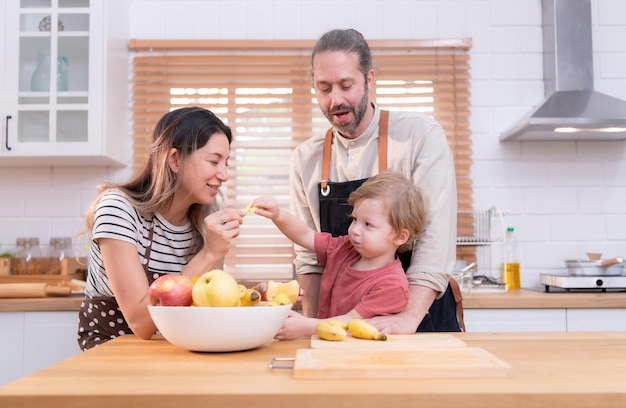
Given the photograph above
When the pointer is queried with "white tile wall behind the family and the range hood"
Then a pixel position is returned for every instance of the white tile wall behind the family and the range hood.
(563, 198)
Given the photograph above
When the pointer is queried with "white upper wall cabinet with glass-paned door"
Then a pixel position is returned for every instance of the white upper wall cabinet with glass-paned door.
(65, 85)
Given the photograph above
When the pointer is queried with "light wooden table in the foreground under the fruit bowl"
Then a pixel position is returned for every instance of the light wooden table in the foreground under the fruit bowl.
(549, 370)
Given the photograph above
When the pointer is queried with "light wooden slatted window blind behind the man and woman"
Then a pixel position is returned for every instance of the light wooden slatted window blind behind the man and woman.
(262, 90)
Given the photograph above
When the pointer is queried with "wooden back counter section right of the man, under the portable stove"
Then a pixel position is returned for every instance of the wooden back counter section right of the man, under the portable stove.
(531, 299)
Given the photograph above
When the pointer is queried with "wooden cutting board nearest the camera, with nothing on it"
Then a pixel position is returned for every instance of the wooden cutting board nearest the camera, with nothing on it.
(450, 362)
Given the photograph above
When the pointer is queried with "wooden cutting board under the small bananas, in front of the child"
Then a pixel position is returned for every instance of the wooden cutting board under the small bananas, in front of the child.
(393, 342)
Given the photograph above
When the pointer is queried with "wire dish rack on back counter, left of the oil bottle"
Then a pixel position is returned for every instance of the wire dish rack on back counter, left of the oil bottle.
(478, 233)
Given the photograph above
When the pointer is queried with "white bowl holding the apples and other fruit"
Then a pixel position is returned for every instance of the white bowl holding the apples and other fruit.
(219, 329)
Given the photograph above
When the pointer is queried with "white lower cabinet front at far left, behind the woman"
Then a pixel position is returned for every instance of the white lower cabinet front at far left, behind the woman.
(31, 341)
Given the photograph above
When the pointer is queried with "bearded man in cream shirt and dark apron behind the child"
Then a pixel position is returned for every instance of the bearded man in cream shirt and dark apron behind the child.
(356, 149)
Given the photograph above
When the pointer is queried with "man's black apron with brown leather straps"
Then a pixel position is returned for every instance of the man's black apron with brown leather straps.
(334, 219)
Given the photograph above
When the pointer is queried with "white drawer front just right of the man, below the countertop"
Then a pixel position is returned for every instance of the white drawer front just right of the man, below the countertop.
(515, 320)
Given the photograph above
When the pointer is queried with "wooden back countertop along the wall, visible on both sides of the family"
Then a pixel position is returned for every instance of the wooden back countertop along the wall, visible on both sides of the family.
(513, 299)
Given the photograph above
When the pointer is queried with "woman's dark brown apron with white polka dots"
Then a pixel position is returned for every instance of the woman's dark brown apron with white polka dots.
(100, 318)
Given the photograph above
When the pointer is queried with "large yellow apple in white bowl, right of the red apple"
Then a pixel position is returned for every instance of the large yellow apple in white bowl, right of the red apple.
(216, 288)
